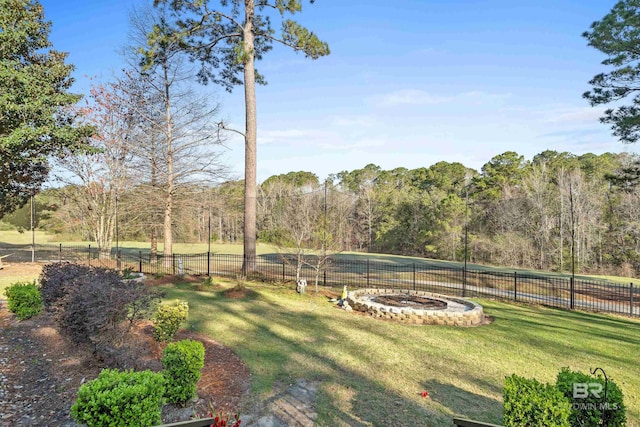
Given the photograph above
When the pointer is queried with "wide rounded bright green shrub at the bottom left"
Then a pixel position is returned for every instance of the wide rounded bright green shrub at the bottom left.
(120, 398)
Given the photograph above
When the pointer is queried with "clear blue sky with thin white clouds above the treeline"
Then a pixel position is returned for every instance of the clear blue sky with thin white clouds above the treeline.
(408, 83)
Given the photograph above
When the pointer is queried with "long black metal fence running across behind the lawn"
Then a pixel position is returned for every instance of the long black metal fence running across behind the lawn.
(550, 290)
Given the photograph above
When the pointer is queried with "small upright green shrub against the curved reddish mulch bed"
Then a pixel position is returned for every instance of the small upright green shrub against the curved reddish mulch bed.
(182, 362)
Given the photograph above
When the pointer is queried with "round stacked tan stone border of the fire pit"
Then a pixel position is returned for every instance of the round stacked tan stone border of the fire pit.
(472, 316)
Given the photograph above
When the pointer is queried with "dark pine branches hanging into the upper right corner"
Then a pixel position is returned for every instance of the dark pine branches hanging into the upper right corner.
(617, 35)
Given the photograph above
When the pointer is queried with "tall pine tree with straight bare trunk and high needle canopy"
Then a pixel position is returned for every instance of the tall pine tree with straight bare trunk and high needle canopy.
(227, 39)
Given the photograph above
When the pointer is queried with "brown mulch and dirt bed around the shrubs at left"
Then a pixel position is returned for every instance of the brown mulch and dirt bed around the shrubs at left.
(40, 373)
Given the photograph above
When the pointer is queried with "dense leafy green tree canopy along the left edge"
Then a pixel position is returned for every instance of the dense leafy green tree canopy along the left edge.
(36, 120)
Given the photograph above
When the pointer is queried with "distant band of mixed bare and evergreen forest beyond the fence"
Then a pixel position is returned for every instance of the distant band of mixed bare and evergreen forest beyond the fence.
(515, 212)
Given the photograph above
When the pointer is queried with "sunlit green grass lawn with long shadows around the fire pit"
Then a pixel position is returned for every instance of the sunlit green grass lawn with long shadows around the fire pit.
(371, 372)
